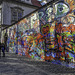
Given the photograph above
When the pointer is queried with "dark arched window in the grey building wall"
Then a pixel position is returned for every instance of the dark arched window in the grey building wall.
(16, 14)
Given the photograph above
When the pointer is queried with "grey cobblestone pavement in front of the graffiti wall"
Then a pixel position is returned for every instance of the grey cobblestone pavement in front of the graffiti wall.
(14, 64)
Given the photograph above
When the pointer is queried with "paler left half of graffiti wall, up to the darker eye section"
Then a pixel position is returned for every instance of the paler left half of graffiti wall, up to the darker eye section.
(25, 38)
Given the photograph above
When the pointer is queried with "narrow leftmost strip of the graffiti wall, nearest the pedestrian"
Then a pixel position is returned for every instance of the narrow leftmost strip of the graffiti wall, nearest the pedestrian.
(12, 39)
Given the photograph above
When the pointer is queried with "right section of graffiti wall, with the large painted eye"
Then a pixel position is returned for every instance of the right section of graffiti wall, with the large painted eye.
(57, 22)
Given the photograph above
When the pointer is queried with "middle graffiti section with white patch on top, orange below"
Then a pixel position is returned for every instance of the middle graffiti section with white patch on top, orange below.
(29, 39)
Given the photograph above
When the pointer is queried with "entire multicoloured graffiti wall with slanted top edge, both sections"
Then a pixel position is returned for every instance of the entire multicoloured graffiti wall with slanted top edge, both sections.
(47, 34)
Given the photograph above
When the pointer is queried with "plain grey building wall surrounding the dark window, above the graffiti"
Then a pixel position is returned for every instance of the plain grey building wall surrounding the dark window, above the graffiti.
(6, 10)
